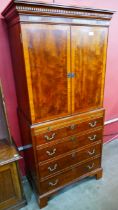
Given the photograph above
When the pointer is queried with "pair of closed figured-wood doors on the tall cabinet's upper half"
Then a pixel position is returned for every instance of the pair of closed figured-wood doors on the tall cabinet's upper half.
(65, 68)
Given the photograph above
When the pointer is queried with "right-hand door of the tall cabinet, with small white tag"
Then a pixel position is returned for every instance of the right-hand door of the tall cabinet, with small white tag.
(88, 46)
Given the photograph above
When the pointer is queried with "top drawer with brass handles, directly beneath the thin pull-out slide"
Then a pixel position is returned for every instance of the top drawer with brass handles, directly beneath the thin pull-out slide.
(68, 131)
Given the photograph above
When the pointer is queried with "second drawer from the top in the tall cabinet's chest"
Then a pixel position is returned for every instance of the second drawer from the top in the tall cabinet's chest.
(68, 144)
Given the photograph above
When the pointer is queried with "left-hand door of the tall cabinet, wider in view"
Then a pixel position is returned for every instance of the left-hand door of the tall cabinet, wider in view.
(47, 59)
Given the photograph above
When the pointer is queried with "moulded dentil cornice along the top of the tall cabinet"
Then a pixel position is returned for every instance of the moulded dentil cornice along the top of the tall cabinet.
(19, 7)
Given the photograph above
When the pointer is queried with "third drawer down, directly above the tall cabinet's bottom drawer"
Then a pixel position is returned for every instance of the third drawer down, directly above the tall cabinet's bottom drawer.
(75, 157)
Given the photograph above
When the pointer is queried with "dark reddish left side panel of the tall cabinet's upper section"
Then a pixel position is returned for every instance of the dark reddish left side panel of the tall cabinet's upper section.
(19, 69)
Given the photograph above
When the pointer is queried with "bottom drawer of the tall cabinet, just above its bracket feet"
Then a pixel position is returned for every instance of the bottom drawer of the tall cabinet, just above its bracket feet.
(69, 176)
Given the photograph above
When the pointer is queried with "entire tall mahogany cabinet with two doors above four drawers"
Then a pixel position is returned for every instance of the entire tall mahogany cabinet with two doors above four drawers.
(59, 60)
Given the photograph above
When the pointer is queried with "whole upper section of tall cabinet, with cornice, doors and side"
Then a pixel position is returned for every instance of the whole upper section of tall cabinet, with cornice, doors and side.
(59, 58)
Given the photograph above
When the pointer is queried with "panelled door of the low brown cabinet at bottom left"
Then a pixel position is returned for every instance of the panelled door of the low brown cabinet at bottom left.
(10, 189)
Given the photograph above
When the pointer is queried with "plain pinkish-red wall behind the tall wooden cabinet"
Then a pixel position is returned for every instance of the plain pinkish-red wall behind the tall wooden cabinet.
(111, 84)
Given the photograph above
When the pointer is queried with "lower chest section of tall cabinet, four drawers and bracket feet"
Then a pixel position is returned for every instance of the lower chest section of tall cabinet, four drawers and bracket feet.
(63, 151)
